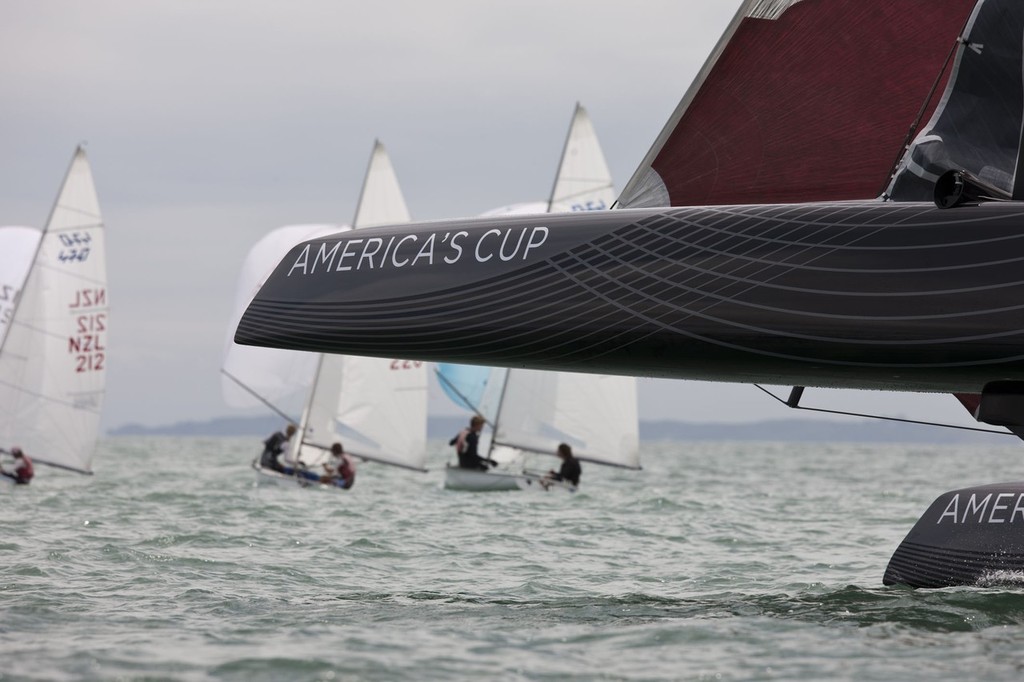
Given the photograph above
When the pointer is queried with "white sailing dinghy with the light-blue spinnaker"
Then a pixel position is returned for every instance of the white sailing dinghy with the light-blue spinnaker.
(532, 412)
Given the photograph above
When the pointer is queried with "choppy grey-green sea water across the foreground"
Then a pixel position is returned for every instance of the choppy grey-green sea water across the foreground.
(718, 562)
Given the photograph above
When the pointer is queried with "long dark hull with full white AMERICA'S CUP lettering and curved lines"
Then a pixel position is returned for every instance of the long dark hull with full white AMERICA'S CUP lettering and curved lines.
(861, 295)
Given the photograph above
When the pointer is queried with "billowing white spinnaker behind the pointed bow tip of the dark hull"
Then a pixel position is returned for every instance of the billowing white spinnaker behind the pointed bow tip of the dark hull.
(279, 377)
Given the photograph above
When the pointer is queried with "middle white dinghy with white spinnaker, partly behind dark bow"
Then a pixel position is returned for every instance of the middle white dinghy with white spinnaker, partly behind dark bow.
(376, 408)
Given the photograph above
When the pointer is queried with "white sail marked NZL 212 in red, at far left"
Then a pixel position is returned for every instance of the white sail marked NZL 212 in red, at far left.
(54, 361)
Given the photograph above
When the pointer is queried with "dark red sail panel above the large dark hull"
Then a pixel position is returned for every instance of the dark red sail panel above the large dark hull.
(813, 106)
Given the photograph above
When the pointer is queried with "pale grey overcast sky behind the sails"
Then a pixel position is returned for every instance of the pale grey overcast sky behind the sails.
(209, 123)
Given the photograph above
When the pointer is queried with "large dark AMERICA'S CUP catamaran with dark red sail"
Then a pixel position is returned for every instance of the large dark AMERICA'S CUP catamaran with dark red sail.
(821, 212)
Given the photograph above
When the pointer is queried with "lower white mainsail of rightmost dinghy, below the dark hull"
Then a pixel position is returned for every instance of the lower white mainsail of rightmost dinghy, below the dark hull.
(596, 415)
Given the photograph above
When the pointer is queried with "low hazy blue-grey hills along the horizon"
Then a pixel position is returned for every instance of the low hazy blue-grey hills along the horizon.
(791, 431)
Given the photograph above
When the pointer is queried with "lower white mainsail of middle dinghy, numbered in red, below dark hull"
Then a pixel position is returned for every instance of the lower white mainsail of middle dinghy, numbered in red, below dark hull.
(376, 408)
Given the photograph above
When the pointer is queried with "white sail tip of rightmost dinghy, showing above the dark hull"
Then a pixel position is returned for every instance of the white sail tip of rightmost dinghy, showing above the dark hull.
(584, 182)
